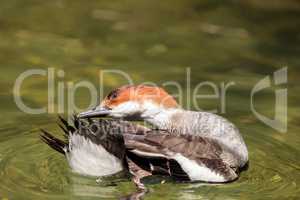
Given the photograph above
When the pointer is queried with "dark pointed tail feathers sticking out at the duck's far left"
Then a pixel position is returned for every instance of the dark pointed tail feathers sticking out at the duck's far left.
(53, 142)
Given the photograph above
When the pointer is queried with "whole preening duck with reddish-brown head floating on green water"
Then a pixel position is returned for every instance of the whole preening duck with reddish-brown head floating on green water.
(185, 145)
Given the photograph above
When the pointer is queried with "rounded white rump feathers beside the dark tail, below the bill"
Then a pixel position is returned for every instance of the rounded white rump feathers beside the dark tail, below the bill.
(87, 158)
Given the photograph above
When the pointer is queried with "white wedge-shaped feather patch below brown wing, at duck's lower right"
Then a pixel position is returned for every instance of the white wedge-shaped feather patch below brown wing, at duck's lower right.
(197, 172)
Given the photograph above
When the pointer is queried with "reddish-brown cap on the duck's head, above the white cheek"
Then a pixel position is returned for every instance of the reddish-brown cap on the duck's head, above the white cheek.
(140, 93)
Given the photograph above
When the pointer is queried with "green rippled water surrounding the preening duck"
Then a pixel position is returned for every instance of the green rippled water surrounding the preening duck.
(220, 41)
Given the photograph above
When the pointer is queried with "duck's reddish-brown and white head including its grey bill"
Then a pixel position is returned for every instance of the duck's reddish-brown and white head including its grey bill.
(133, 102)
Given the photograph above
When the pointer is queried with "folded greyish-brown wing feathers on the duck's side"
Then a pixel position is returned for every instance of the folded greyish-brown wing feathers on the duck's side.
(205, 151)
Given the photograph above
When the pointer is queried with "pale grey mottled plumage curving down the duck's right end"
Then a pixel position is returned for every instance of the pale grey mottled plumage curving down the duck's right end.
(209, 125)
